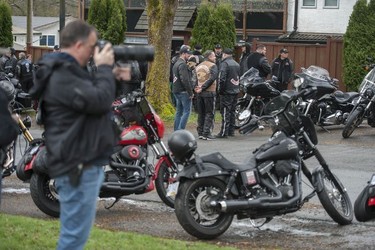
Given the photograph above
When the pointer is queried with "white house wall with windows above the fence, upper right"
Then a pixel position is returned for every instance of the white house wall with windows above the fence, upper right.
(330, 17)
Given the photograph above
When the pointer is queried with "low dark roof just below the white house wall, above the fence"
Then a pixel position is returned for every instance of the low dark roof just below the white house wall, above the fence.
(301, 37)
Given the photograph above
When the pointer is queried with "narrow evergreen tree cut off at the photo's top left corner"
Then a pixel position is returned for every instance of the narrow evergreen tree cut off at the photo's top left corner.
(6, 37)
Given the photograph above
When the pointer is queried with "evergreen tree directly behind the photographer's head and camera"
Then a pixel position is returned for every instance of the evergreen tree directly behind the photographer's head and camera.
(109, 18)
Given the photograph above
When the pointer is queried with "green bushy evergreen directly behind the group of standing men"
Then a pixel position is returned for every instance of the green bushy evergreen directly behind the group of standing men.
(213, 25)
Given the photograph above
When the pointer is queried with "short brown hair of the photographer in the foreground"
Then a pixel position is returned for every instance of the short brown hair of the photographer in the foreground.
(75, 31)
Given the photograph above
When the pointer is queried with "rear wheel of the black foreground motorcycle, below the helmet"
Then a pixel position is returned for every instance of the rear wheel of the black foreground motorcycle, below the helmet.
(193, 210)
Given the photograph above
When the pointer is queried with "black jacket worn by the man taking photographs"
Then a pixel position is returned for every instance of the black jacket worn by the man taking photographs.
(78, 126)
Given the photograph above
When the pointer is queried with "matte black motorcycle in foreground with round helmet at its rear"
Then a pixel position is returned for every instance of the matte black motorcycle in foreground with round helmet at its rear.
(269, 183)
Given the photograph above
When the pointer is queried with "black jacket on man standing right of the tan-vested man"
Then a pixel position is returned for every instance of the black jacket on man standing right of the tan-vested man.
(229, 77)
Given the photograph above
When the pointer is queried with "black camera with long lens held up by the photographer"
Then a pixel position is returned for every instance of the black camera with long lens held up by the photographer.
(130, 52)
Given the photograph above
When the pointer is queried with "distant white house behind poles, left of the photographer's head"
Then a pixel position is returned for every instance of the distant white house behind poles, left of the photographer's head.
(45, 30)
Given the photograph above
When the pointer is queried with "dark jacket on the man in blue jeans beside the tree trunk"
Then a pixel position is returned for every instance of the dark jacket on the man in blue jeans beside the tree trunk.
(181, 78)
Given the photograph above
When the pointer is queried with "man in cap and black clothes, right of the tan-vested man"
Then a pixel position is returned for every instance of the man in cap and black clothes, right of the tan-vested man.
(229, 79)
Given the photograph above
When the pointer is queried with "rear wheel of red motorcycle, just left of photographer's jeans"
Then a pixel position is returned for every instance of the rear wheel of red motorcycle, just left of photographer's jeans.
(44, 194)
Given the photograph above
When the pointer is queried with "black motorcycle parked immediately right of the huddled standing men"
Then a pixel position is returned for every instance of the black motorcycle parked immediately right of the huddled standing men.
(257, 92)
